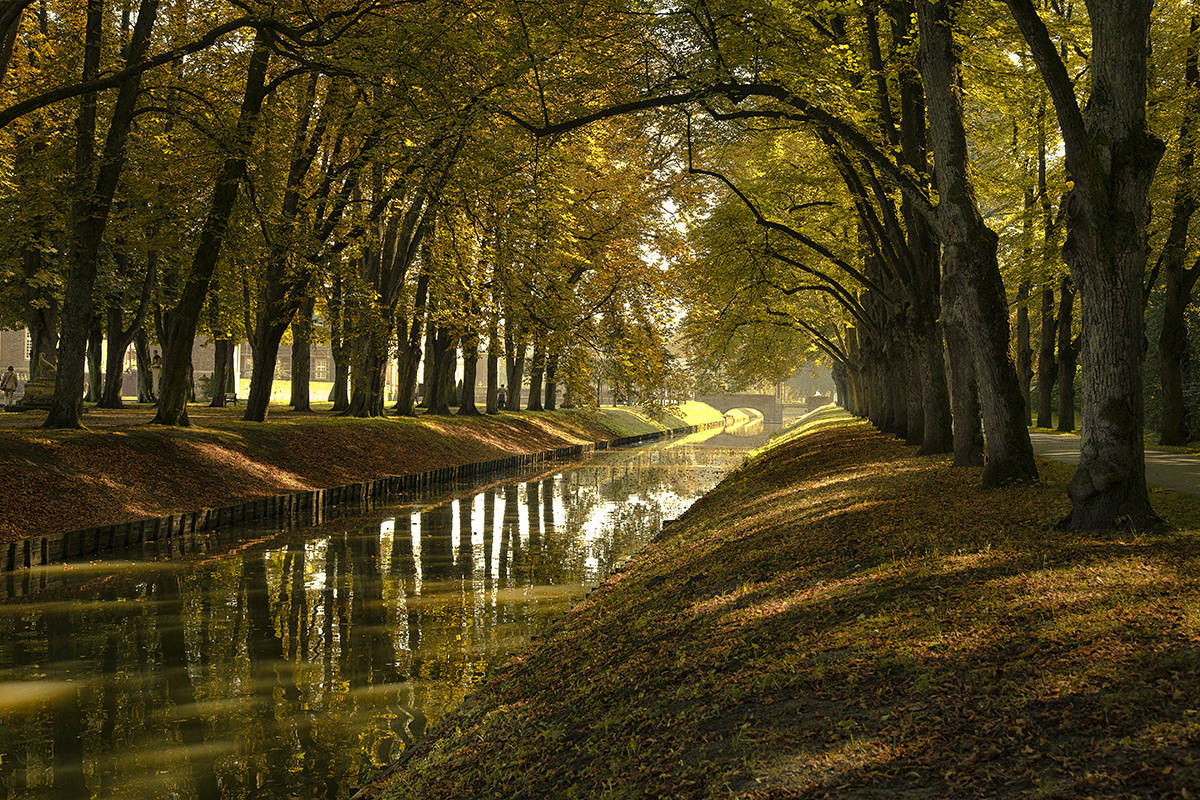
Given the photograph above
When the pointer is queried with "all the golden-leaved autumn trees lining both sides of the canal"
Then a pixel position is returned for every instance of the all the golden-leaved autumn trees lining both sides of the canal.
(859, 181)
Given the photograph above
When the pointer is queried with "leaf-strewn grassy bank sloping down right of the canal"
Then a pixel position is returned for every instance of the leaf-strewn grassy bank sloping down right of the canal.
(842, 618)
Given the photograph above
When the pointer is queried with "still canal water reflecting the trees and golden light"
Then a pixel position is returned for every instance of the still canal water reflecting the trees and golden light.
(279, 664)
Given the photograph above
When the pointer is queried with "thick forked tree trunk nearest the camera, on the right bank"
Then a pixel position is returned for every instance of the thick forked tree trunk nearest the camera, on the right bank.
(1112, 157)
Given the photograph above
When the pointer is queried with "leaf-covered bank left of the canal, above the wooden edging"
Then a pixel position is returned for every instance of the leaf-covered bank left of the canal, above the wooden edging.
(122, 468)
